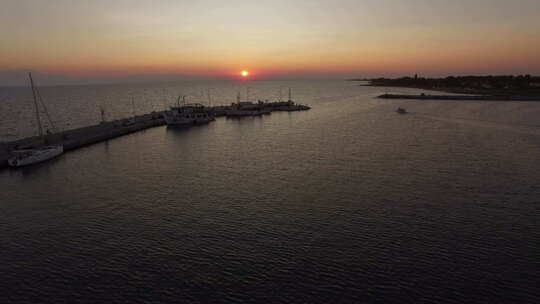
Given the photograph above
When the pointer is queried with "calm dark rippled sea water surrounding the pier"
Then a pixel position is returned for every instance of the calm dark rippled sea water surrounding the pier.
(346, 203)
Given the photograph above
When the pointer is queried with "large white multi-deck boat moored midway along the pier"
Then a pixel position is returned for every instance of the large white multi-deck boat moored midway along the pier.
(187, 114)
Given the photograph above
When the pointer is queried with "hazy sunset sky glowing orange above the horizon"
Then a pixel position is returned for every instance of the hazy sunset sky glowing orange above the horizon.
(270, 38)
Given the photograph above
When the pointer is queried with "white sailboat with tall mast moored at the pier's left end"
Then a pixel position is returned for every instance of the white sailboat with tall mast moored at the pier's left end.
(35, 155)
